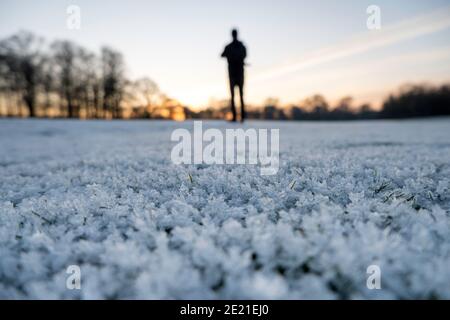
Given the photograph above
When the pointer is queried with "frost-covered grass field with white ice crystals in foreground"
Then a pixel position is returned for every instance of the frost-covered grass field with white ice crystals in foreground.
(105, 196)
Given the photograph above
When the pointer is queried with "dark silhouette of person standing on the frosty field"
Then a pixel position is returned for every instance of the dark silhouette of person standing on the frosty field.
(235, 53)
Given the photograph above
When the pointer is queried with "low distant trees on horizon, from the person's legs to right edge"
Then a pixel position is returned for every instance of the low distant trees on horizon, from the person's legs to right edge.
(410, 101)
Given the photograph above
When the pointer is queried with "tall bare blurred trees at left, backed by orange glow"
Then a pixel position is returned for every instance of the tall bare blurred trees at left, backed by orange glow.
(66, 80)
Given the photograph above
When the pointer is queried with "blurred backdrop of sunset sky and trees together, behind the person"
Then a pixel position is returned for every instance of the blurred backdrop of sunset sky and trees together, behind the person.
(308, 60)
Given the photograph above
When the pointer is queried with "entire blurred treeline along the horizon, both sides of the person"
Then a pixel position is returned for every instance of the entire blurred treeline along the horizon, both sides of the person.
(64, 79)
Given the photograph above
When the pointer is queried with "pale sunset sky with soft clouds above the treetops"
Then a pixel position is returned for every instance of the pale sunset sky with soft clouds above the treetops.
(295, 48)
